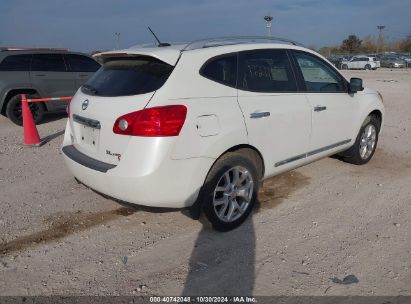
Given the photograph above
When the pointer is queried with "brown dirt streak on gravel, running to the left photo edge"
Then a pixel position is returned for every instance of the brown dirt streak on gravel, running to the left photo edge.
(62, 225)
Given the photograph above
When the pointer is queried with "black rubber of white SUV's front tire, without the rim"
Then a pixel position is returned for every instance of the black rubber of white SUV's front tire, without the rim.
(353, 155)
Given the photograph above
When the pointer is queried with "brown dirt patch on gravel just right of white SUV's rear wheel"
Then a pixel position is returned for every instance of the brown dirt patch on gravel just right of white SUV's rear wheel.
(279, 188)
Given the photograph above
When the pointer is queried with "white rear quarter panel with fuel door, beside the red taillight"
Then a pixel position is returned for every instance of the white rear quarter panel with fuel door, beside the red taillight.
(214, 120)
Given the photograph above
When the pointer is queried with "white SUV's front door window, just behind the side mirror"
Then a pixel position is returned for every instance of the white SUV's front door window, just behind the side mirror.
(318, 75)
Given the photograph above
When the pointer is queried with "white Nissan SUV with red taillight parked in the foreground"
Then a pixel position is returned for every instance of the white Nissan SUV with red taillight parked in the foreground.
(199, 125)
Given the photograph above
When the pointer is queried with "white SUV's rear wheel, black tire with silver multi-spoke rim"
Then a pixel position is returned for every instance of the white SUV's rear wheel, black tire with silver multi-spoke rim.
(225, 202)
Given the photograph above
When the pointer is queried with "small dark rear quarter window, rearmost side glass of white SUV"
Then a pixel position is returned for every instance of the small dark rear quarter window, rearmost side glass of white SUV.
(222, 69)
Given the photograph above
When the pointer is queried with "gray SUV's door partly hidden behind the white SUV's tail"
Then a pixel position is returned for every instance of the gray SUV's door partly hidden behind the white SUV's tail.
(82, 67)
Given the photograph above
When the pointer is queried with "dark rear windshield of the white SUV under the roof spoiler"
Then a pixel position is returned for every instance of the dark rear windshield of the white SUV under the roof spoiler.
(128, 76)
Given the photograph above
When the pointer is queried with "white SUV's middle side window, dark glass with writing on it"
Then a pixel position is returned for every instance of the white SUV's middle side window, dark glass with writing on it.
(266, 71)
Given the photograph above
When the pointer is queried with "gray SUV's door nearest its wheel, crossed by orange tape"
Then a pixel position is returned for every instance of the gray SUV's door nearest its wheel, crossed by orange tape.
(50, 77)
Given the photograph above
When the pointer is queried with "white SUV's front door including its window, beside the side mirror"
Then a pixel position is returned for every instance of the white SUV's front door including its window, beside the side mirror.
(332, 107)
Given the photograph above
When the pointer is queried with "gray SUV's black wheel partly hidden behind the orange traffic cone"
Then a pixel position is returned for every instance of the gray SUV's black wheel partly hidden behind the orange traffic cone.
(14, 112)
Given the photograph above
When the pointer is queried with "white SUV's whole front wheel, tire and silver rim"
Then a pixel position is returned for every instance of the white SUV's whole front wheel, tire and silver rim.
(365, 144)
